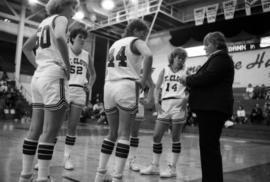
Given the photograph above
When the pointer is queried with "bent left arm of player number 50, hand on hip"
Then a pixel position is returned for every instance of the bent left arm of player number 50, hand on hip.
(28, 49)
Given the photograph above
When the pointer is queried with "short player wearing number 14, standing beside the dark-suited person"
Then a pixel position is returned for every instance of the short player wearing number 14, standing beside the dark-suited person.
(171, 111)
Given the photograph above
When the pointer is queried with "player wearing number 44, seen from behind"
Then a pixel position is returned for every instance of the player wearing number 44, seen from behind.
(120, 96)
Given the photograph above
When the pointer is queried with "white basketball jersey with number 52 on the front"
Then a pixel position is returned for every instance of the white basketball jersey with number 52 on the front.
(78, 67)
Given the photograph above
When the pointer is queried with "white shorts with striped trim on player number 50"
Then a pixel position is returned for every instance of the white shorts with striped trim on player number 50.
(49, 93)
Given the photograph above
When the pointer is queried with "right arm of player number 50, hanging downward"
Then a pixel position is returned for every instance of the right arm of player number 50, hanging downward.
(61, 24)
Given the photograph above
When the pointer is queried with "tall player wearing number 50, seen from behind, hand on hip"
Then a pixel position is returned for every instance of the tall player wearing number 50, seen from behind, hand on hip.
(48, 87)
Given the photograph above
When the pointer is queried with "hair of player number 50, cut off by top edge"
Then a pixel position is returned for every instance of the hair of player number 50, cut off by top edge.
(57, 6)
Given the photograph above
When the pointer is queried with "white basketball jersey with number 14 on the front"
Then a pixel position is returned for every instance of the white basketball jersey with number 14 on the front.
(171, 86)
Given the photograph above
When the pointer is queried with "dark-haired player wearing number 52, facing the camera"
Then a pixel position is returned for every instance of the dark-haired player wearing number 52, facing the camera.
(80, 64)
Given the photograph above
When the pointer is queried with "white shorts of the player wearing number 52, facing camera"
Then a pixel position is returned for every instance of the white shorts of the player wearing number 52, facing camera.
(77, 95)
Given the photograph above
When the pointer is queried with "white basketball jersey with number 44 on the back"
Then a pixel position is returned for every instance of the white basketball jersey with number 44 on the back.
(122, 62)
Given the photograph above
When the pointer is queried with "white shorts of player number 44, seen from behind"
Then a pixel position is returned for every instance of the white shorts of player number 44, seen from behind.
(120, 94)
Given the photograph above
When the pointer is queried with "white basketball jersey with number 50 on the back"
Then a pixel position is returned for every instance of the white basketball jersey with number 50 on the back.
(48, 57)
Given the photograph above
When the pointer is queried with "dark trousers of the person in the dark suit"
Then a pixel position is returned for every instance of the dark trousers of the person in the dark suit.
(210, 128)
